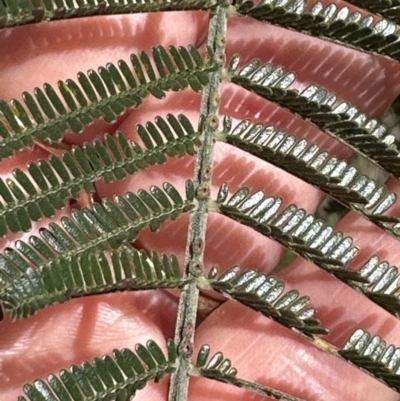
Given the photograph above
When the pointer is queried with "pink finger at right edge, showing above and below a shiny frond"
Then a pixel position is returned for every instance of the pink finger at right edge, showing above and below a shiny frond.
(339, 307)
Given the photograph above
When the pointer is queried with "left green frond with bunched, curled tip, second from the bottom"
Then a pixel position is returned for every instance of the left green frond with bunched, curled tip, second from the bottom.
(89, 274)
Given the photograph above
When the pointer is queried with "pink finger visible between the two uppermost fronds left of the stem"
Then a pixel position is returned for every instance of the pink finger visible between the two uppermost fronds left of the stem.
(66, 47)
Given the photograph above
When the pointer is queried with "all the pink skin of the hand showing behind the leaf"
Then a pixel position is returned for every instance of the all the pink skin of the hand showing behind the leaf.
(84, 328)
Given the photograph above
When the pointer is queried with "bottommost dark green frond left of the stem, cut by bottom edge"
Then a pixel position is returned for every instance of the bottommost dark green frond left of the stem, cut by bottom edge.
(112, 377)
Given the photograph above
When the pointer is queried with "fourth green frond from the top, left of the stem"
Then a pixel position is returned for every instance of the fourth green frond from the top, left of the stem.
(106, 225)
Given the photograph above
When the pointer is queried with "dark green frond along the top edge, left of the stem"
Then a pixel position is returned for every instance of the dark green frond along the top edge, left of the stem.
(14, 12)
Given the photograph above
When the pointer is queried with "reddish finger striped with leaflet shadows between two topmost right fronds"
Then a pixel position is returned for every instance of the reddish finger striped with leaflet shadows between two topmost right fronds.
(368, 82)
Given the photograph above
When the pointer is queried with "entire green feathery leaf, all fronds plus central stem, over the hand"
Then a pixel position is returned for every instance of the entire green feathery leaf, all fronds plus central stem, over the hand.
(90, 251)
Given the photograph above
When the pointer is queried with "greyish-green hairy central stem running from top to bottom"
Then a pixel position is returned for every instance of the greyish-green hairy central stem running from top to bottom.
(188, 304)
